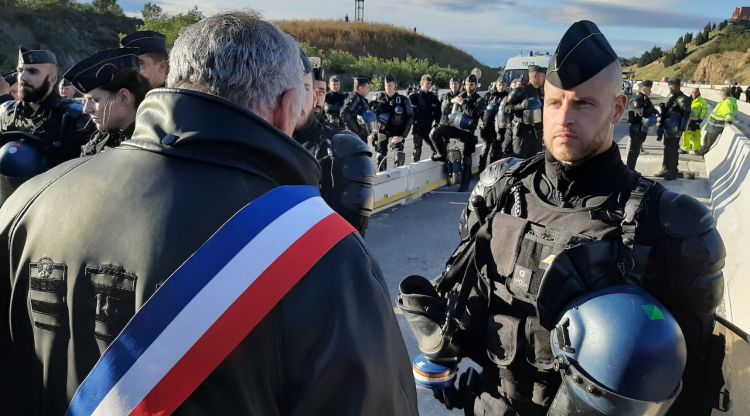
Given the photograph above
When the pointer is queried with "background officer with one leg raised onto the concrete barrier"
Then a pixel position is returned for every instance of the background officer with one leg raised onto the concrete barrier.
(461, 123)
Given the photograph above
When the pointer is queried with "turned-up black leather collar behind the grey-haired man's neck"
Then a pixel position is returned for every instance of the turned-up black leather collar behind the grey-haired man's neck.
(194, 125)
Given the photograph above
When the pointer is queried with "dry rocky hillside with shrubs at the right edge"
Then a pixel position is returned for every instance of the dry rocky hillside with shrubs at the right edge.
(724, 57)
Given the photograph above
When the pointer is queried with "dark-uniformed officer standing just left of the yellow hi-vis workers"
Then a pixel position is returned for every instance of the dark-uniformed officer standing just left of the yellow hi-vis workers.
(672, 123)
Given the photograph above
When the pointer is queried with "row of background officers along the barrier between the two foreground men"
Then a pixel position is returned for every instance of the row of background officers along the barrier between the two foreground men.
(507, 118)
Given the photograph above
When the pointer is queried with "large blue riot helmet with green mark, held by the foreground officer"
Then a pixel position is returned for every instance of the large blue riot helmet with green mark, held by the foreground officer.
(619, 352)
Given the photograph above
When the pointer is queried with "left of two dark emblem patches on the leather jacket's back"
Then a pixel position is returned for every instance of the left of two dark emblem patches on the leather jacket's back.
(47, 294)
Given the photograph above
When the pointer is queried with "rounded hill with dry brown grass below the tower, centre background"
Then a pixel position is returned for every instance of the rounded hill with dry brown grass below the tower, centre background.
(381, 40)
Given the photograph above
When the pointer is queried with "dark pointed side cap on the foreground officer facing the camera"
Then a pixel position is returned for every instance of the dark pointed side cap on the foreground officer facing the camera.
(582, 53)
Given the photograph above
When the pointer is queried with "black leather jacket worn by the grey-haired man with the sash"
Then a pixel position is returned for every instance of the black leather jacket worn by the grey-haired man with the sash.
(332, 346)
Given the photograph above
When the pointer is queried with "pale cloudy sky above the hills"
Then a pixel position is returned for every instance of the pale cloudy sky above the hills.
(493, 30)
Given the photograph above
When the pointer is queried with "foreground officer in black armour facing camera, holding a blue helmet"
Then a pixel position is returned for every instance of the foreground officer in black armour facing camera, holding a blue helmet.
(545, 236)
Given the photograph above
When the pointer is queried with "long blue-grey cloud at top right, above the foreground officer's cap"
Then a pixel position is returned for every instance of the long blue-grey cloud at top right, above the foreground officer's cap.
(618, 13)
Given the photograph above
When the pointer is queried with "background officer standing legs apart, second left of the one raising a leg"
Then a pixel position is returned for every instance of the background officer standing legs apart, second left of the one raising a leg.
(394, 130)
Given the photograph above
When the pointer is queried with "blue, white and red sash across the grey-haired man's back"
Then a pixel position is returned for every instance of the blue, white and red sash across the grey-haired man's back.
(210, 304)
